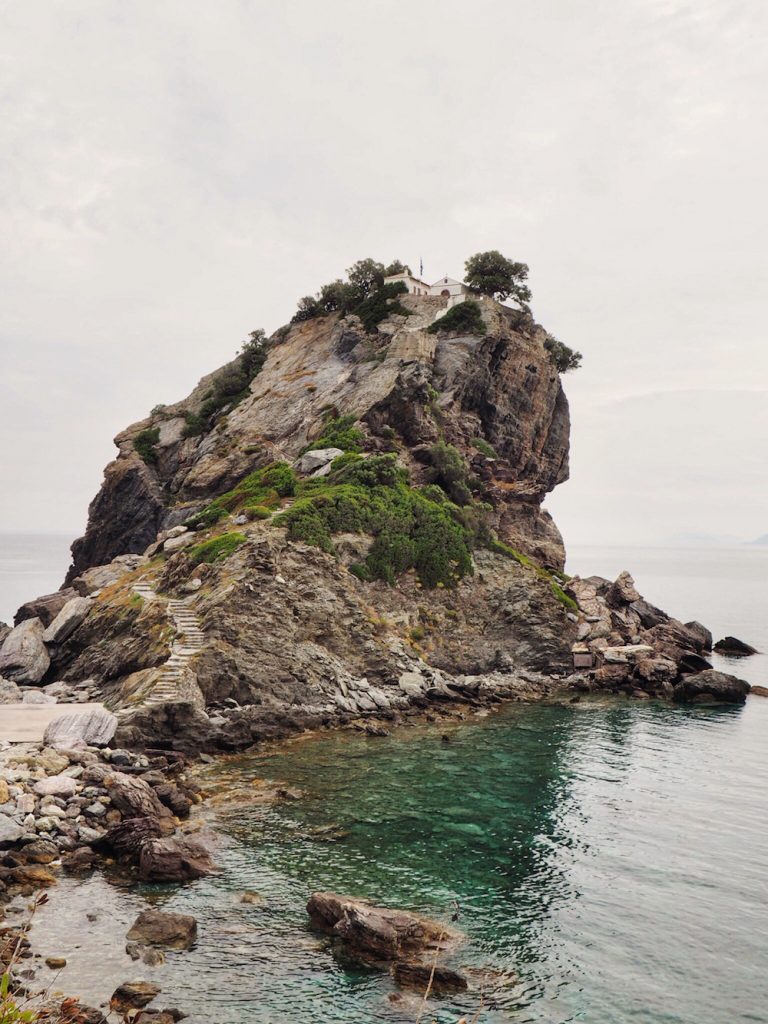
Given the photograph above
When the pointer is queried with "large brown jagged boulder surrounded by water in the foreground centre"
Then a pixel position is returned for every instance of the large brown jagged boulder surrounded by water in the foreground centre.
(376, 935)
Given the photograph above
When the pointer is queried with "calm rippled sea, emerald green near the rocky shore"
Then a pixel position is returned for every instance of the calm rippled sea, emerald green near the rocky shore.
(607, 861)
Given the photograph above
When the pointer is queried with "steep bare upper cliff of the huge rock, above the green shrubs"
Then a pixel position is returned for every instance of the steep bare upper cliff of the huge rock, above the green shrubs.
(408, 389)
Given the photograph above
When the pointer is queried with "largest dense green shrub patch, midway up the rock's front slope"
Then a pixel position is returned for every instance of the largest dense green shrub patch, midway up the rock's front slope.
(373, 496)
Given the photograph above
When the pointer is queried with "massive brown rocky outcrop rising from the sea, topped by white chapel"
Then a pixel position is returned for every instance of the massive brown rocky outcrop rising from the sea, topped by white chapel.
(350, 530)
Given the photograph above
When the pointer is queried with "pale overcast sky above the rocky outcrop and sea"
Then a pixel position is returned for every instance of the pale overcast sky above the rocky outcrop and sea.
(177, 173)
